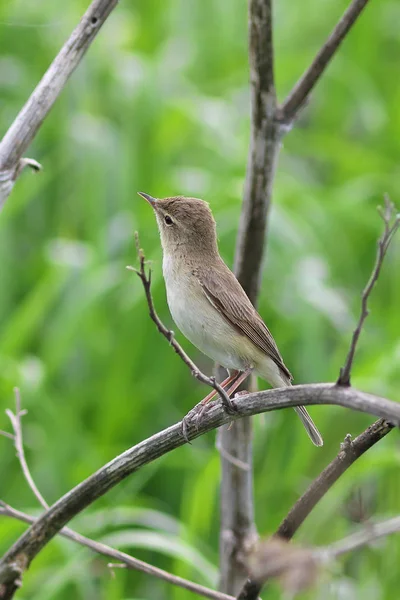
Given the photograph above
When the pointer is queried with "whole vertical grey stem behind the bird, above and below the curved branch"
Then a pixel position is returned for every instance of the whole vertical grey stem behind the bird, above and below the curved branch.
(237, 526)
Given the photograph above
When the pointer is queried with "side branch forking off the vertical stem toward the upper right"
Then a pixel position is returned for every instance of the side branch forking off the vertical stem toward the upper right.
(296, 99)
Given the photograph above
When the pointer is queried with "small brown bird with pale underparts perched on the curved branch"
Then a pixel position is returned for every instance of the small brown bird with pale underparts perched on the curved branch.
(209, 305)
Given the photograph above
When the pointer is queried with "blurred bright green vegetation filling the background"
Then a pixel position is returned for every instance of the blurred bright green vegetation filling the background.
(161, 104)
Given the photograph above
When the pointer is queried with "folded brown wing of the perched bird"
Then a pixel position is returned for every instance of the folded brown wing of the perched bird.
(237, 309)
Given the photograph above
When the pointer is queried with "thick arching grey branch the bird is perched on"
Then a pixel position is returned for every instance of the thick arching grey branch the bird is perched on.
(19, 556)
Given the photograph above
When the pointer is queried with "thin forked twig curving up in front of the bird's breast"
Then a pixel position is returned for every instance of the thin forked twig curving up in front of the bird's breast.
(169, 335)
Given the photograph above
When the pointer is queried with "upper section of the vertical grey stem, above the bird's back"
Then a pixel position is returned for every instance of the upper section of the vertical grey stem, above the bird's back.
(263, 151)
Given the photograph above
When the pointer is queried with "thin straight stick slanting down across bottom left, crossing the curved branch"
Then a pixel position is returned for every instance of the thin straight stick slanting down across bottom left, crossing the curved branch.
(125, 560)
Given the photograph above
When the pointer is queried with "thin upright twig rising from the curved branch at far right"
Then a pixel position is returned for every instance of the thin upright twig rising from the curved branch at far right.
(391, 224)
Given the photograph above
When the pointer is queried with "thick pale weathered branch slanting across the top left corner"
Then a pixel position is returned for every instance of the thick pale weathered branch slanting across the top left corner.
(32, 115)
